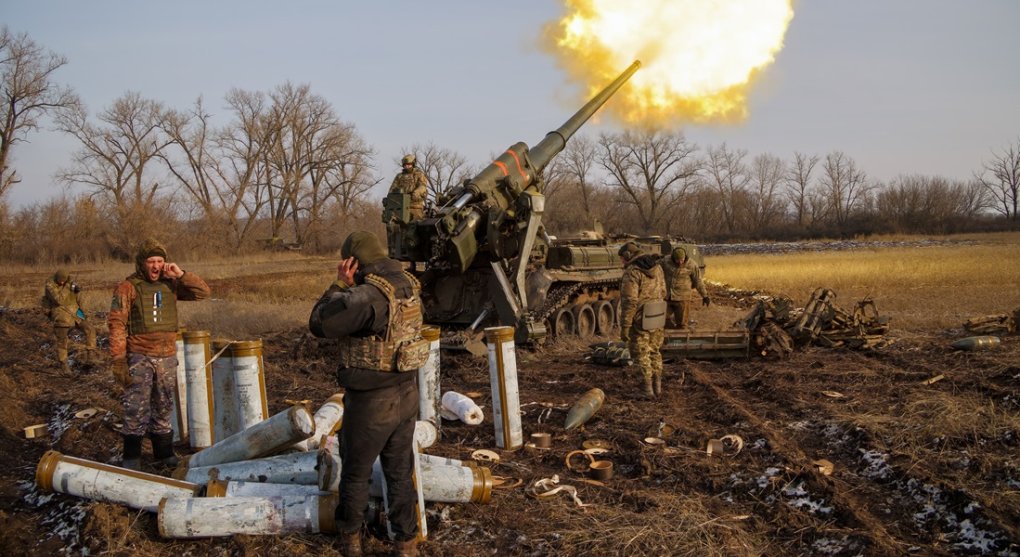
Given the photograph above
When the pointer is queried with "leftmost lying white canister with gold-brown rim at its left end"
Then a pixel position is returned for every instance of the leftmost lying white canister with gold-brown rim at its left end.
(99, 482)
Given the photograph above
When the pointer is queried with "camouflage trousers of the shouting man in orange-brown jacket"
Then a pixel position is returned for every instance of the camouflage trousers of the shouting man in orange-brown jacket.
(148, 400)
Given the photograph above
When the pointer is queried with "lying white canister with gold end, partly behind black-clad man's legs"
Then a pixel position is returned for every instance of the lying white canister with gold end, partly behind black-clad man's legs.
(440, 483)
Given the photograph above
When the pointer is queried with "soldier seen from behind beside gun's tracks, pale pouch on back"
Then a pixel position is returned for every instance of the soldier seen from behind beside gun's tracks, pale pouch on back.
(643, 314)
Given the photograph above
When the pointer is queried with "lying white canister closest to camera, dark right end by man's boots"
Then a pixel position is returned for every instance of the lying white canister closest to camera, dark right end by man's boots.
(215, 517)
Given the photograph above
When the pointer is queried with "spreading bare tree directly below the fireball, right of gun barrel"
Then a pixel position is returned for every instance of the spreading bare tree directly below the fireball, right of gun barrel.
(652, 171)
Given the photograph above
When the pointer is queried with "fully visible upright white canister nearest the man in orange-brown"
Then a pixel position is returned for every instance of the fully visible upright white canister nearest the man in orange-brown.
(199, 380)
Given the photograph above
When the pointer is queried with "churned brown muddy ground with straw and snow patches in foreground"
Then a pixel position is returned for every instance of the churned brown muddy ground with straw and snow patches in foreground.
(919, 468)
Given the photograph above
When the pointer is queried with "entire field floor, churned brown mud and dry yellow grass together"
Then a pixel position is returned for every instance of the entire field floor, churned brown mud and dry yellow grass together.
(920, 467)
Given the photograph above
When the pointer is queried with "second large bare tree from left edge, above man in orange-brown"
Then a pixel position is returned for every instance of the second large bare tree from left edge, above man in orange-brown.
(116, 161)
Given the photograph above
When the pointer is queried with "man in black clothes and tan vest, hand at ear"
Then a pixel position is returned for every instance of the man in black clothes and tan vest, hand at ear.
(375, 310)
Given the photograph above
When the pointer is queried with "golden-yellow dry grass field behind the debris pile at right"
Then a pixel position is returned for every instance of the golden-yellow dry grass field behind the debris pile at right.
(922, 288)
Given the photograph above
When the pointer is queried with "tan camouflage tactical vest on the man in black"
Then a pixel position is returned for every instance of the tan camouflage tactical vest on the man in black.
(402, 348)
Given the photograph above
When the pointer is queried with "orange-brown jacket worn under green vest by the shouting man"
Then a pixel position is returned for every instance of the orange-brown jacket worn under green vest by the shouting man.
(161, 345)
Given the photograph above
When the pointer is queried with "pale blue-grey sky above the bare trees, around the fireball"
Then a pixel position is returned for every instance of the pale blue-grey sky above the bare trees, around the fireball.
(902, 87)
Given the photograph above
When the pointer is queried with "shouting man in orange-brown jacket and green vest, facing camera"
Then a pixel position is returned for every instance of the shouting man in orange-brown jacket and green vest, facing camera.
(143, 324)
